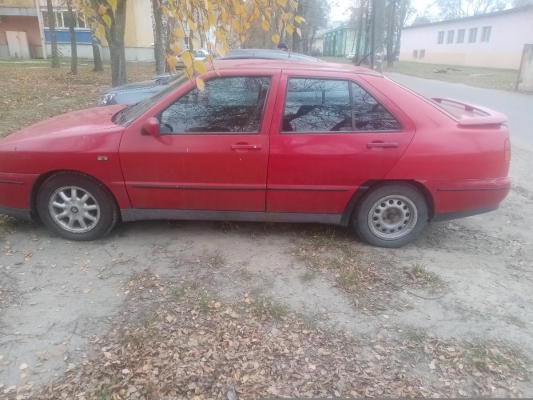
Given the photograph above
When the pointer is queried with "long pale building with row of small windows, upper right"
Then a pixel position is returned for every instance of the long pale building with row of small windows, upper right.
(493, 40)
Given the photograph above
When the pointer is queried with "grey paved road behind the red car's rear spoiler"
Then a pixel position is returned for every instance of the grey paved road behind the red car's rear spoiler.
(518, 107)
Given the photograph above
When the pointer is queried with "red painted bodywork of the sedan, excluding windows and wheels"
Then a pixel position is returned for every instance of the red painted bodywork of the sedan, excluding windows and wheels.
(462, 166)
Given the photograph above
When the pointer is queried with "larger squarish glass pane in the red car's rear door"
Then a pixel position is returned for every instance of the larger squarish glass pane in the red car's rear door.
(317, 105)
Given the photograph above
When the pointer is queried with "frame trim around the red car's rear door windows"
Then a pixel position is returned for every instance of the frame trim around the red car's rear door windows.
(280, 129)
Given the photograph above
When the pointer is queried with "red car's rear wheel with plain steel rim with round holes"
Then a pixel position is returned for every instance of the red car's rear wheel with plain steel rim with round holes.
(391, 215)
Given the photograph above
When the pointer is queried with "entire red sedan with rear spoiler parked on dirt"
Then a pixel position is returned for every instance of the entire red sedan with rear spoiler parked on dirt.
(265, 141)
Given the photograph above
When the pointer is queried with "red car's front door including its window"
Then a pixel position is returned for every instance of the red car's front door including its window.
(212, 150)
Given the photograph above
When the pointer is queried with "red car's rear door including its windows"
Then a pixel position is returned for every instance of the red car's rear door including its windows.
(331, 133)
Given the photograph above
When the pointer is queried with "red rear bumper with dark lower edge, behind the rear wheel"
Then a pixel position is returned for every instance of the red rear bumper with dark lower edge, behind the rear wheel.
(462, 198)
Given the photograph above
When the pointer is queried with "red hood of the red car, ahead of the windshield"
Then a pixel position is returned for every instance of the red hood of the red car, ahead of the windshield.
(77, 123)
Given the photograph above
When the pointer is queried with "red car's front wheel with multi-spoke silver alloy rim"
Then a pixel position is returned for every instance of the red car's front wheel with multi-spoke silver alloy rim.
(90, 216)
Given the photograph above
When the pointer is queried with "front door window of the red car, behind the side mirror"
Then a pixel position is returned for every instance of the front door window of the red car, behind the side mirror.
(227, 105)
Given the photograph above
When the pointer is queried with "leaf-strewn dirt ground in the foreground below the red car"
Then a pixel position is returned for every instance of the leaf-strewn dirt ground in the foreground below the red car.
(449, 315)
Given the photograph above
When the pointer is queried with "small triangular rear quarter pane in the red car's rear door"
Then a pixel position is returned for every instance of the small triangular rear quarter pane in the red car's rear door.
(369, 114)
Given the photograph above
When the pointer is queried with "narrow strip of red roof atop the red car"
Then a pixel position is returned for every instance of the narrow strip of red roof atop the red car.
(292, 65)
